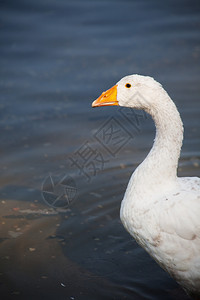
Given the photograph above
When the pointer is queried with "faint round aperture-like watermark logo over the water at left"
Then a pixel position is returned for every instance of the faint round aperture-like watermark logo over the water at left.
(59, 191)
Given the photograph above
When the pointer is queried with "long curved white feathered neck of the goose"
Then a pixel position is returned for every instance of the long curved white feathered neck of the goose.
(159, 169)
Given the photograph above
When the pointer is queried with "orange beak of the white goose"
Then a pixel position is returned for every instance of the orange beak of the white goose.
(107, 98)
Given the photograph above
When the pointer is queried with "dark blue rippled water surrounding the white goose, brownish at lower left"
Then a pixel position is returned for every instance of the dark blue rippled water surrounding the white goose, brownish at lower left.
(56, 58)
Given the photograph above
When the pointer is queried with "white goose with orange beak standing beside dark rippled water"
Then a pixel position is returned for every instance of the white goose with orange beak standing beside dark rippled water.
(160, 210)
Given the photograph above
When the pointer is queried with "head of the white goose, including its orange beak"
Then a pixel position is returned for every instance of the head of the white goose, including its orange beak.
(135, 91)
